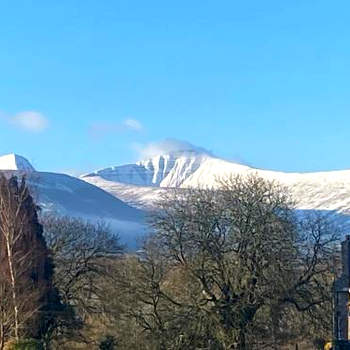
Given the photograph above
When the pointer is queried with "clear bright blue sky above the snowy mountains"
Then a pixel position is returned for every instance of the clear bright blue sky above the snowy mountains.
(87, 84)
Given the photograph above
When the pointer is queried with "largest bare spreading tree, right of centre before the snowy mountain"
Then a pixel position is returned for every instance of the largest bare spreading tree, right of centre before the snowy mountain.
(249, 255)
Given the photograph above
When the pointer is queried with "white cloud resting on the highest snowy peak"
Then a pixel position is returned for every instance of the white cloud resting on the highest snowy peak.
(166, 146)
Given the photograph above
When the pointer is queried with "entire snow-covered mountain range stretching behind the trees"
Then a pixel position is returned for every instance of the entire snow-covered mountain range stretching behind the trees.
(123, 194)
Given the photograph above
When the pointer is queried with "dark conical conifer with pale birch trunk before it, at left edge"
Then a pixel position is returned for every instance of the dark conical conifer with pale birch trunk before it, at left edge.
(26, 268)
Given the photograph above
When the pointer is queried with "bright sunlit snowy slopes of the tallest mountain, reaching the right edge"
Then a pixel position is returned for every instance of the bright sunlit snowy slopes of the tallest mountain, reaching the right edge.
(329, 191)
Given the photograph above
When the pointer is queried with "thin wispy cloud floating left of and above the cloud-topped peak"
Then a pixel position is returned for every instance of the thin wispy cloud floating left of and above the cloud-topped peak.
(100, 129)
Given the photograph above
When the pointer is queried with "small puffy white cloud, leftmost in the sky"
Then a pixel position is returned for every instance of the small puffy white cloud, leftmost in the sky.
(30, 121)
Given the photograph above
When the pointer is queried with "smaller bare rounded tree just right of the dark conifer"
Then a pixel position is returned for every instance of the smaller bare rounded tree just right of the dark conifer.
(81, 252)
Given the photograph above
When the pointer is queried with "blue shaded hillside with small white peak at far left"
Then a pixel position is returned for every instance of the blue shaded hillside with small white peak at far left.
(67, 195)
